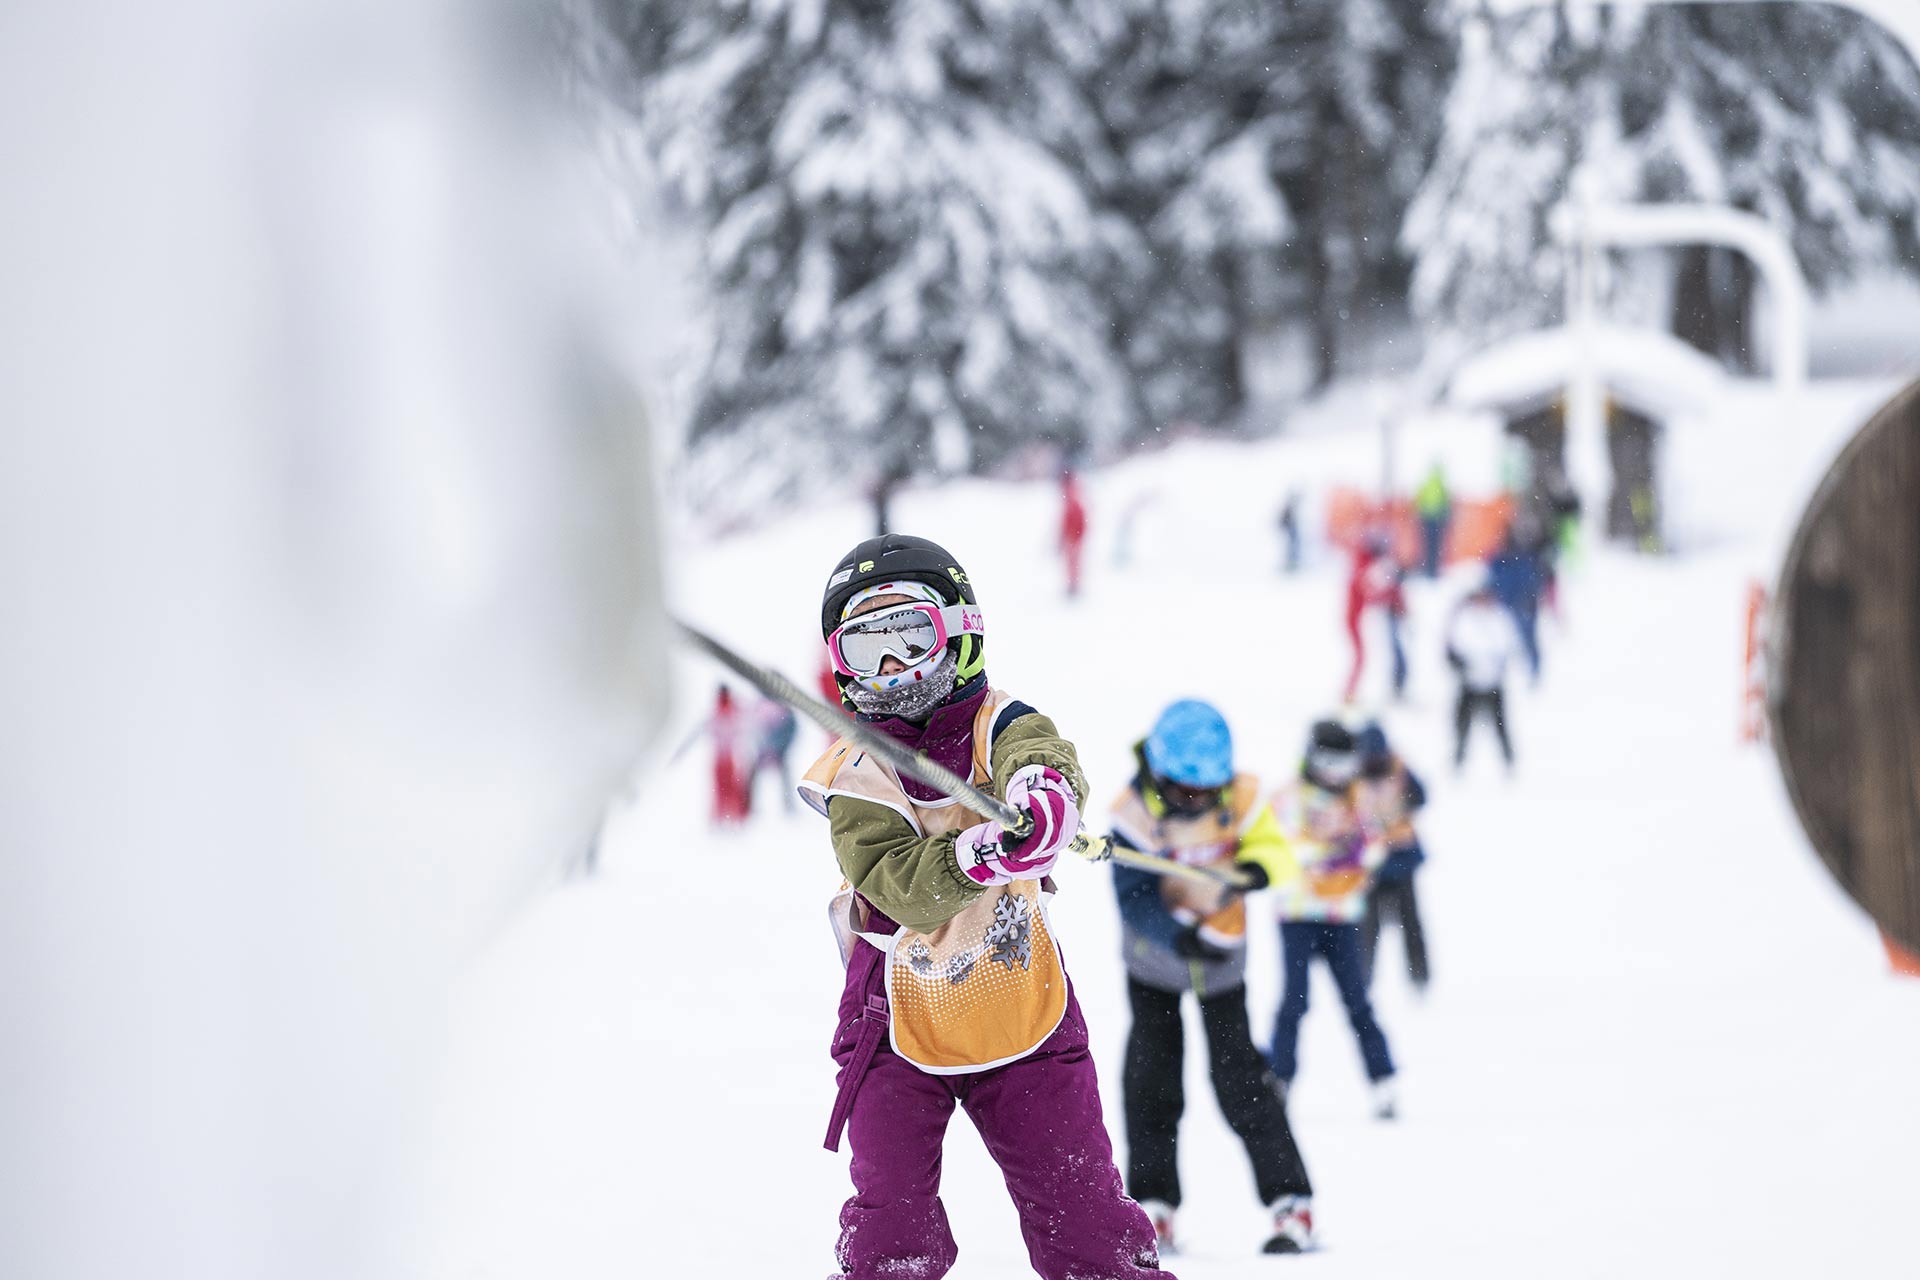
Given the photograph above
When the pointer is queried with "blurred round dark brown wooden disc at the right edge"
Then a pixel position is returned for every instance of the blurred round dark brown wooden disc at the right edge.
(1844, 669)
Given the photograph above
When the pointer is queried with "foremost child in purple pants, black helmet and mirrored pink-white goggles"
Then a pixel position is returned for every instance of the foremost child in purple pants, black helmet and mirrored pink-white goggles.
(955, 987)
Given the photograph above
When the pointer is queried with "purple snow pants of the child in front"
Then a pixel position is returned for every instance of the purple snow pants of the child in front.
(1040, 1120)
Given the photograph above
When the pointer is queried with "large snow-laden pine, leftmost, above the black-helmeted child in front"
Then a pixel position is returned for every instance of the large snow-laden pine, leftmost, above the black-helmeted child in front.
(898, 270)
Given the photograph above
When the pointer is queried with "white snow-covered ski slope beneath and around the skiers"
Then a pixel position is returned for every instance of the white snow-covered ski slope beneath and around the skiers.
(1660, 1041)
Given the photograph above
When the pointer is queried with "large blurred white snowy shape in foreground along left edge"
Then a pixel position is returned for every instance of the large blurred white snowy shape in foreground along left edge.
(325, 542)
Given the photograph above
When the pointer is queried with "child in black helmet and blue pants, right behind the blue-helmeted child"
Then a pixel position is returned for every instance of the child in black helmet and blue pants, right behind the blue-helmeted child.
(1322, 907)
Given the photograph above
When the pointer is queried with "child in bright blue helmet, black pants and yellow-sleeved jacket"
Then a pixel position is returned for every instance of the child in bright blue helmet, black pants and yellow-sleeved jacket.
(1188, 805)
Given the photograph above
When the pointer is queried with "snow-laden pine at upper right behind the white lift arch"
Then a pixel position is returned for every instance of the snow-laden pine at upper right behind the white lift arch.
(1802, 114)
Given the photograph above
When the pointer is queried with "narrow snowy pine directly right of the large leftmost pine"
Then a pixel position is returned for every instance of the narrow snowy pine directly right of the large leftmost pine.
(1174, 143)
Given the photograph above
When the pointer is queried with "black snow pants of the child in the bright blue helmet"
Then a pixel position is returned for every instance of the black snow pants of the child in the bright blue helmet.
(1243, 1085)
